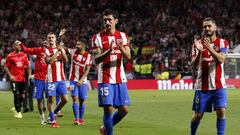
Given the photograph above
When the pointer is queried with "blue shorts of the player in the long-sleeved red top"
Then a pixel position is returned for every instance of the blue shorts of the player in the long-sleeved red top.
(39, 88)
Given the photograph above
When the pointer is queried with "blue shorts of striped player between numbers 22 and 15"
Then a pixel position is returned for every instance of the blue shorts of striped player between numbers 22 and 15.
(80, 91)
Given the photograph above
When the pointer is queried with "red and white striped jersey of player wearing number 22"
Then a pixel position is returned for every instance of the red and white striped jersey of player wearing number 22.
(56, 69)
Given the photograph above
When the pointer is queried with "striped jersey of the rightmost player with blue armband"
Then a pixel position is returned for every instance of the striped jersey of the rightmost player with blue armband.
(210, 74)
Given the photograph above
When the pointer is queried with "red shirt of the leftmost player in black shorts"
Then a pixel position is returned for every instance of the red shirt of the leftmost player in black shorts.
(17, 63)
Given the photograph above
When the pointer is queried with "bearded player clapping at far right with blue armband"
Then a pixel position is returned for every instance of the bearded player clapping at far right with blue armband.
(208, 56)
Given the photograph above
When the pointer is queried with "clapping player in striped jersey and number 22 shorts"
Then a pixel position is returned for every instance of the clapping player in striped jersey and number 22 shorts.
(55, 58)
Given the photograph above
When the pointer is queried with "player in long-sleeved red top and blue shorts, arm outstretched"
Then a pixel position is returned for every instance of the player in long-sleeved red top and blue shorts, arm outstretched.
(40, 73)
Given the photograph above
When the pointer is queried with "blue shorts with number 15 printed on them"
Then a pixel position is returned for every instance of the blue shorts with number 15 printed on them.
(113, 94)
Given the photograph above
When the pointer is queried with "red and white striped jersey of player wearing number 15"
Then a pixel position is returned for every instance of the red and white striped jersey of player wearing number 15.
(111, 70)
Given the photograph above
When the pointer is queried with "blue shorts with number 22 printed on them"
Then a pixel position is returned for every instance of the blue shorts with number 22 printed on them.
(57, 88)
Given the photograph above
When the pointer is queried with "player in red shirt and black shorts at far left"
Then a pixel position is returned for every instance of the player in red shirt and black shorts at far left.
(16, 63)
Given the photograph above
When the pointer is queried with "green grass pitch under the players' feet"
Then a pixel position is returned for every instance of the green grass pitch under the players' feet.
(151, 113)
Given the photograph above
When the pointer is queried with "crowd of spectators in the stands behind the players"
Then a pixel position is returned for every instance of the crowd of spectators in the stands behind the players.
(166, 28)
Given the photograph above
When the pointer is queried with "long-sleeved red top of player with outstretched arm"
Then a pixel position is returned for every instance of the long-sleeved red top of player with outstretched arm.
(40, 71)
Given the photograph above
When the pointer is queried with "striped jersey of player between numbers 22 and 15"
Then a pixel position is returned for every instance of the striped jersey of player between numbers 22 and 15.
(78, 64)
